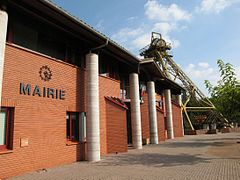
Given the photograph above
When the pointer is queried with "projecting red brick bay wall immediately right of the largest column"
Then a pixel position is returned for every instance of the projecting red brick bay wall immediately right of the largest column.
(116, 128)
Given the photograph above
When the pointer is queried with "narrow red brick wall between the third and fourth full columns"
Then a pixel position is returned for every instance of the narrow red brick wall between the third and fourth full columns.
(161, 126)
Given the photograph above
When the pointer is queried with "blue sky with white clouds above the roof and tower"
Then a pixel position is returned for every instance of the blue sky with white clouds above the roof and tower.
(200, 31)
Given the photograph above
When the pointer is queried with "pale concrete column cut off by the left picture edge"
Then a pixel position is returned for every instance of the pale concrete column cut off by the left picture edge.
(3, 34)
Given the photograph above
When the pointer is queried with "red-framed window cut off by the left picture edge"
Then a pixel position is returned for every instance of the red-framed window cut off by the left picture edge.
(6, 129)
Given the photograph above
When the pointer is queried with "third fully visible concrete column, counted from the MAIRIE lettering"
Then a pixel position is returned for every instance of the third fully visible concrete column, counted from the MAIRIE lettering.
(152, 112)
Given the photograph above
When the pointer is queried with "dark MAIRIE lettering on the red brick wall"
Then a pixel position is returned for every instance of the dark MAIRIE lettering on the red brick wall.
(36, 90)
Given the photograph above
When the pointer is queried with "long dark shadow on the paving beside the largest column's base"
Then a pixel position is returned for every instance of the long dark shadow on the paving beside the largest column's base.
(154, 160)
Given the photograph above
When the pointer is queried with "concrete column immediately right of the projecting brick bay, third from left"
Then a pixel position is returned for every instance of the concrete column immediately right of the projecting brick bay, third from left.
(135, 111)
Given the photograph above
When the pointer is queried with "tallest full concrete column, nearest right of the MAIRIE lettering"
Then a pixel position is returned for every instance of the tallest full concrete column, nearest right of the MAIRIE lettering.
(93, 123)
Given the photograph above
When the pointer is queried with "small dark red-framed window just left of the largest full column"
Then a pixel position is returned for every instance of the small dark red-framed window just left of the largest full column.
(72, 126)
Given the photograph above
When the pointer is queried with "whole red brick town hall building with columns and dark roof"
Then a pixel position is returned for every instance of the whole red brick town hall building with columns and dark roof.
(69, 93)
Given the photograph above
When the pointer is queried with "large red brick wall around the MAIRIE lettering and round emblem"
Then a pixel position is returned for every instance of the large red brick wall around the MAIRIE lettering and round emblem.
(41, 120)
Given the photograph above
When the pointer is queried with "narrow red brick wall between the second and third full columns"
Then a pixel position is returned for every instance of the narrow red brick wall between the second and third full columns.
(145, 118)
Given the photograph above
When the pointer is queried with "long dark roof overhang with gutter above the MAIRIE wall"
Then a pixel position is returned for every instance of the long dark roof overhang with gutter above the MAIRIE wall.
(55, 15)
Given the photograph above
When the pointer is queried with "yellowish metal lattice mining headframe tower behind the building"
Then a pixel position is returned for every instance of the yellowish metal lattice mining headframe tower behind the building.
(158, 50)
